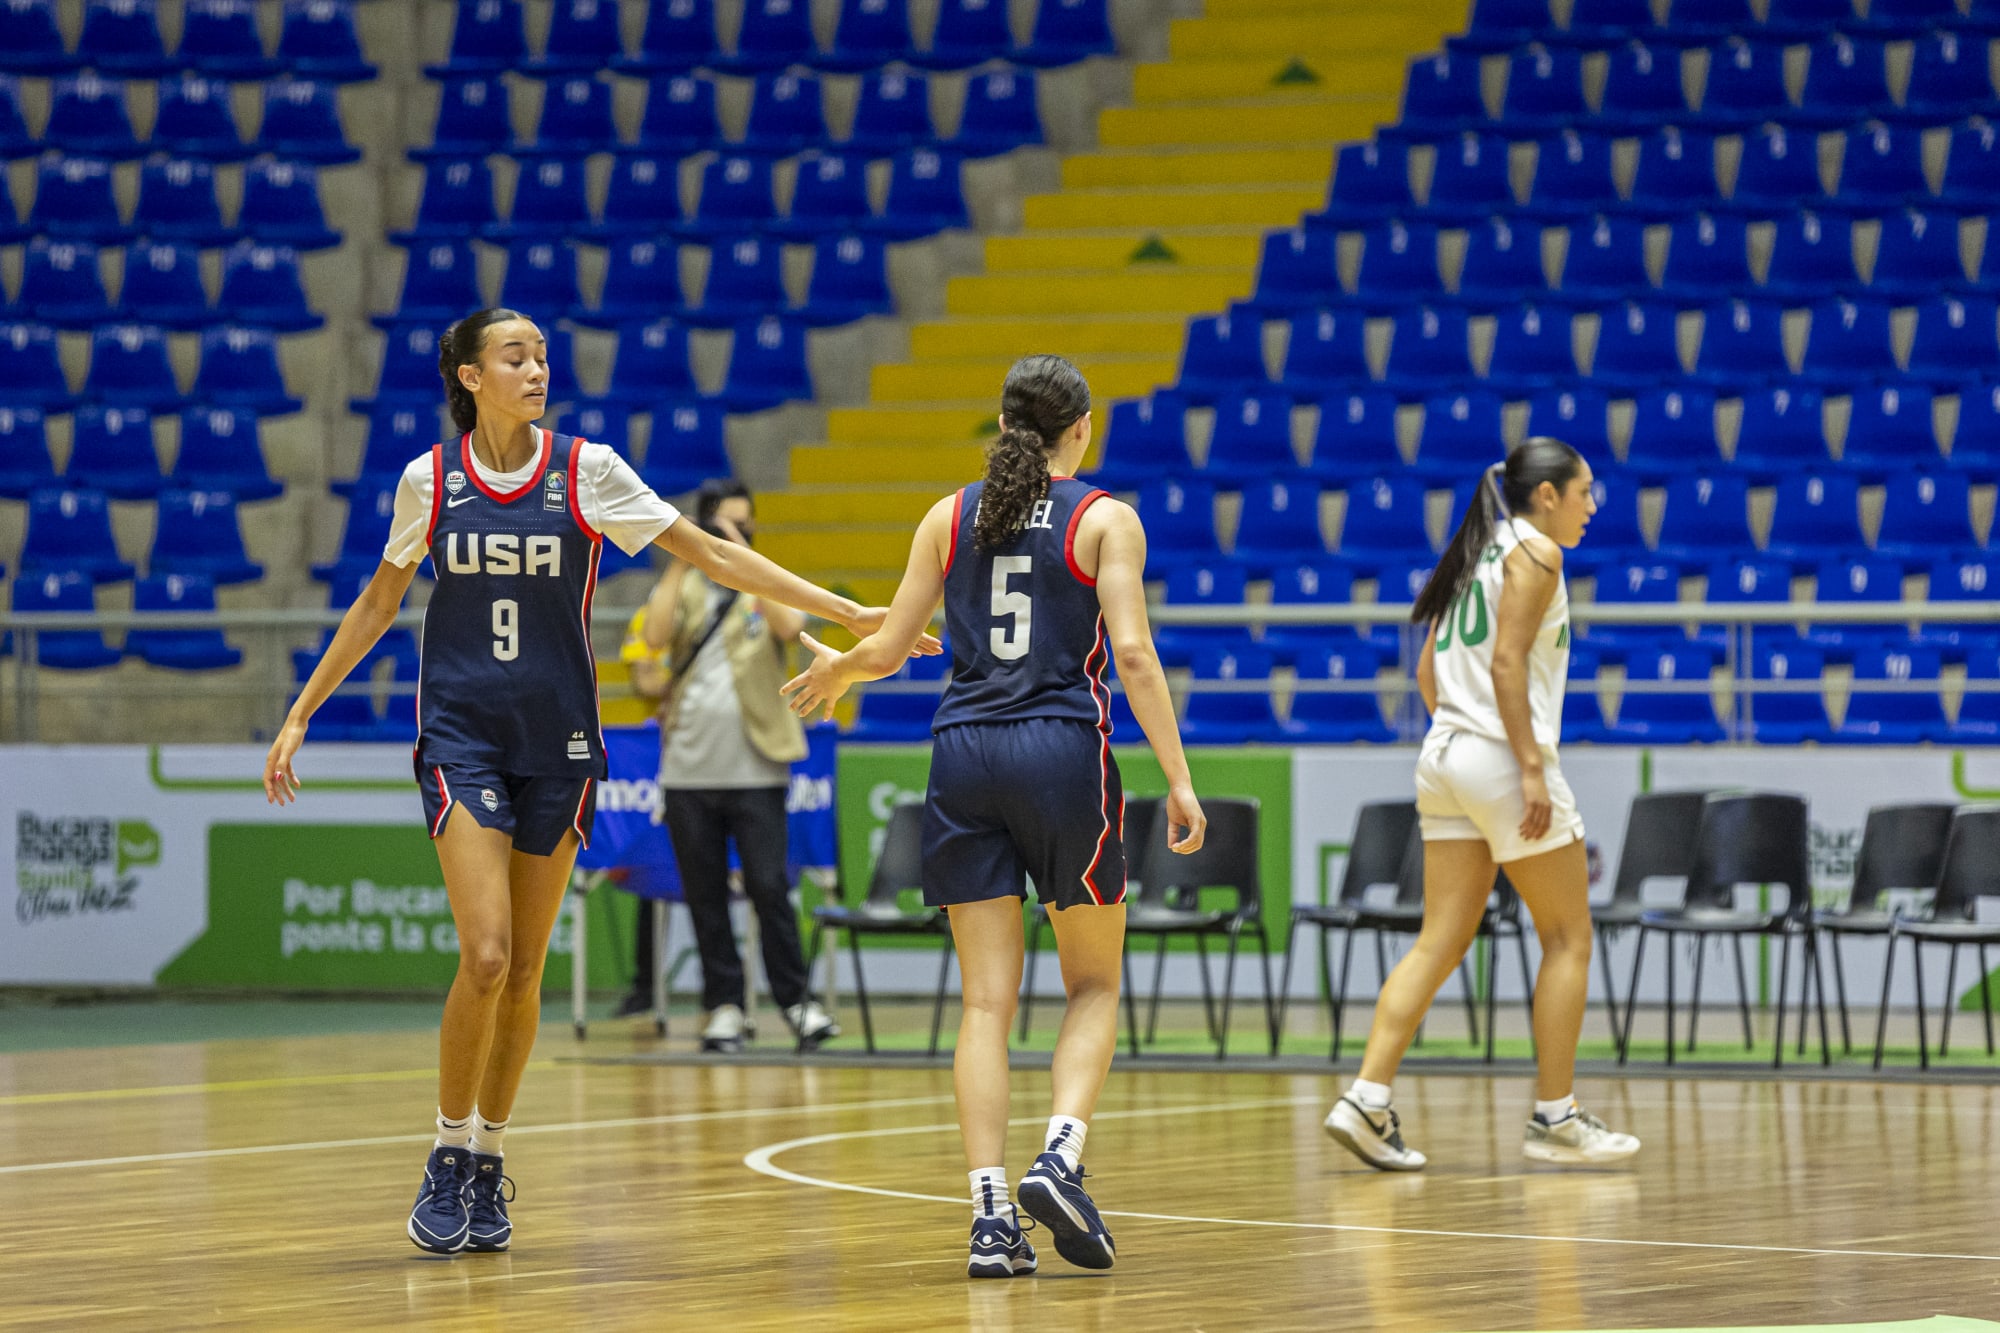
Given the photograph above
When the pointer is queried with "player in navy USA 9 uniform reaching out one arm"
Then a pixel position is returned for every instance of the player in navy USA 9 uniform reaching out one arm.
(509, 750)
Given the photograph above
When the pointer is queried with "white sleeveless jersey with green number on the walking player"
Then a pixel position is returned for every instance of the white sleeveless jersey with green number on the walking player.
(1465, 651)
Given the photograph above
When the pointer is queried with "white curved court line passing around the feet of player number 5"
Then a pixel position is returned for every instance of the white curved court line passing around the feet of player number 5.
(761, 1162)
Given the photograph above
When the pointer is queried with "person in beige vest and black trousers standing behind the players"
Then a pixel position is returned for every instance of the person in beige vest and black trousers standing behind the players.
(727, 752)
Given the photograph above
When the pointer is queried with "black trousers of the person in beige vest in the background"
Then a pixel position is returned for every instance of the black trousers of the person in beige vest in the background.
(703, 826)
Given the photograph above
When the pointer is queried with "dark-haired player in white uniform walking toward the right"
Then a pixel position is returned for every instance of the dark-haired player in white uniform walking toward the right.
(1489, 792)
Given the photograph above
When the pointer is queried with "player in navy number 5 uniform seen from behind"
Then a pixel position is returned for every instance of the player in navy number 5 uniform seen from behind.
(1033, 567)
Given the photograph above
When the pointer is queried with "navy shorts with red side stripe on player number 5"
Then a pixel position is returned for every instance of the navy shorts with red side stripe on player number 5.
(1013, 802)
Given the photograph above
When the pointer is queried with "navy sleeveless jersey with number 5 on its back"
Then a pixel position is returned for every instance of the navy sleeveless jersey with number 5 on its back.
(1023, 619)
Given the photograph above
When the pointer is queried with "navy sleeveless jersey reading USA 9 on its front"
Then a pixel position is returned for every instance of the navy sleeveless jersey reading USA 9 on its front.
(507, 674)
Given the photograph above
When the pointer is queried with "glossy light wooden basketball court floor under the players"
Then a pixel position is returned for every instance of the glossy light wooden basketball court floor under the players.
(265, 1186)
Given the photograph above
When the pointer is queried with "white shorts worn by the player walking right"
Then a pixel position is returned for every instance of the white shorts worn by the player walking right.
(1469, 790)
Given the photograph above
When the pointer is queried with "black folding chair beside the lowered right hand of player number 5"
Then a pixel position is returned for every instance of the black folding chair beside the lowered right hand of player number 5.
(1167, 908)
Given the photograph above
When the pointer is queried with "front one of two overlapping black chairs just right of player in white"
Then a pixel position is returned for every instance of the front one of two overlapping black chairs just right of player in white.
(1743, 840)
